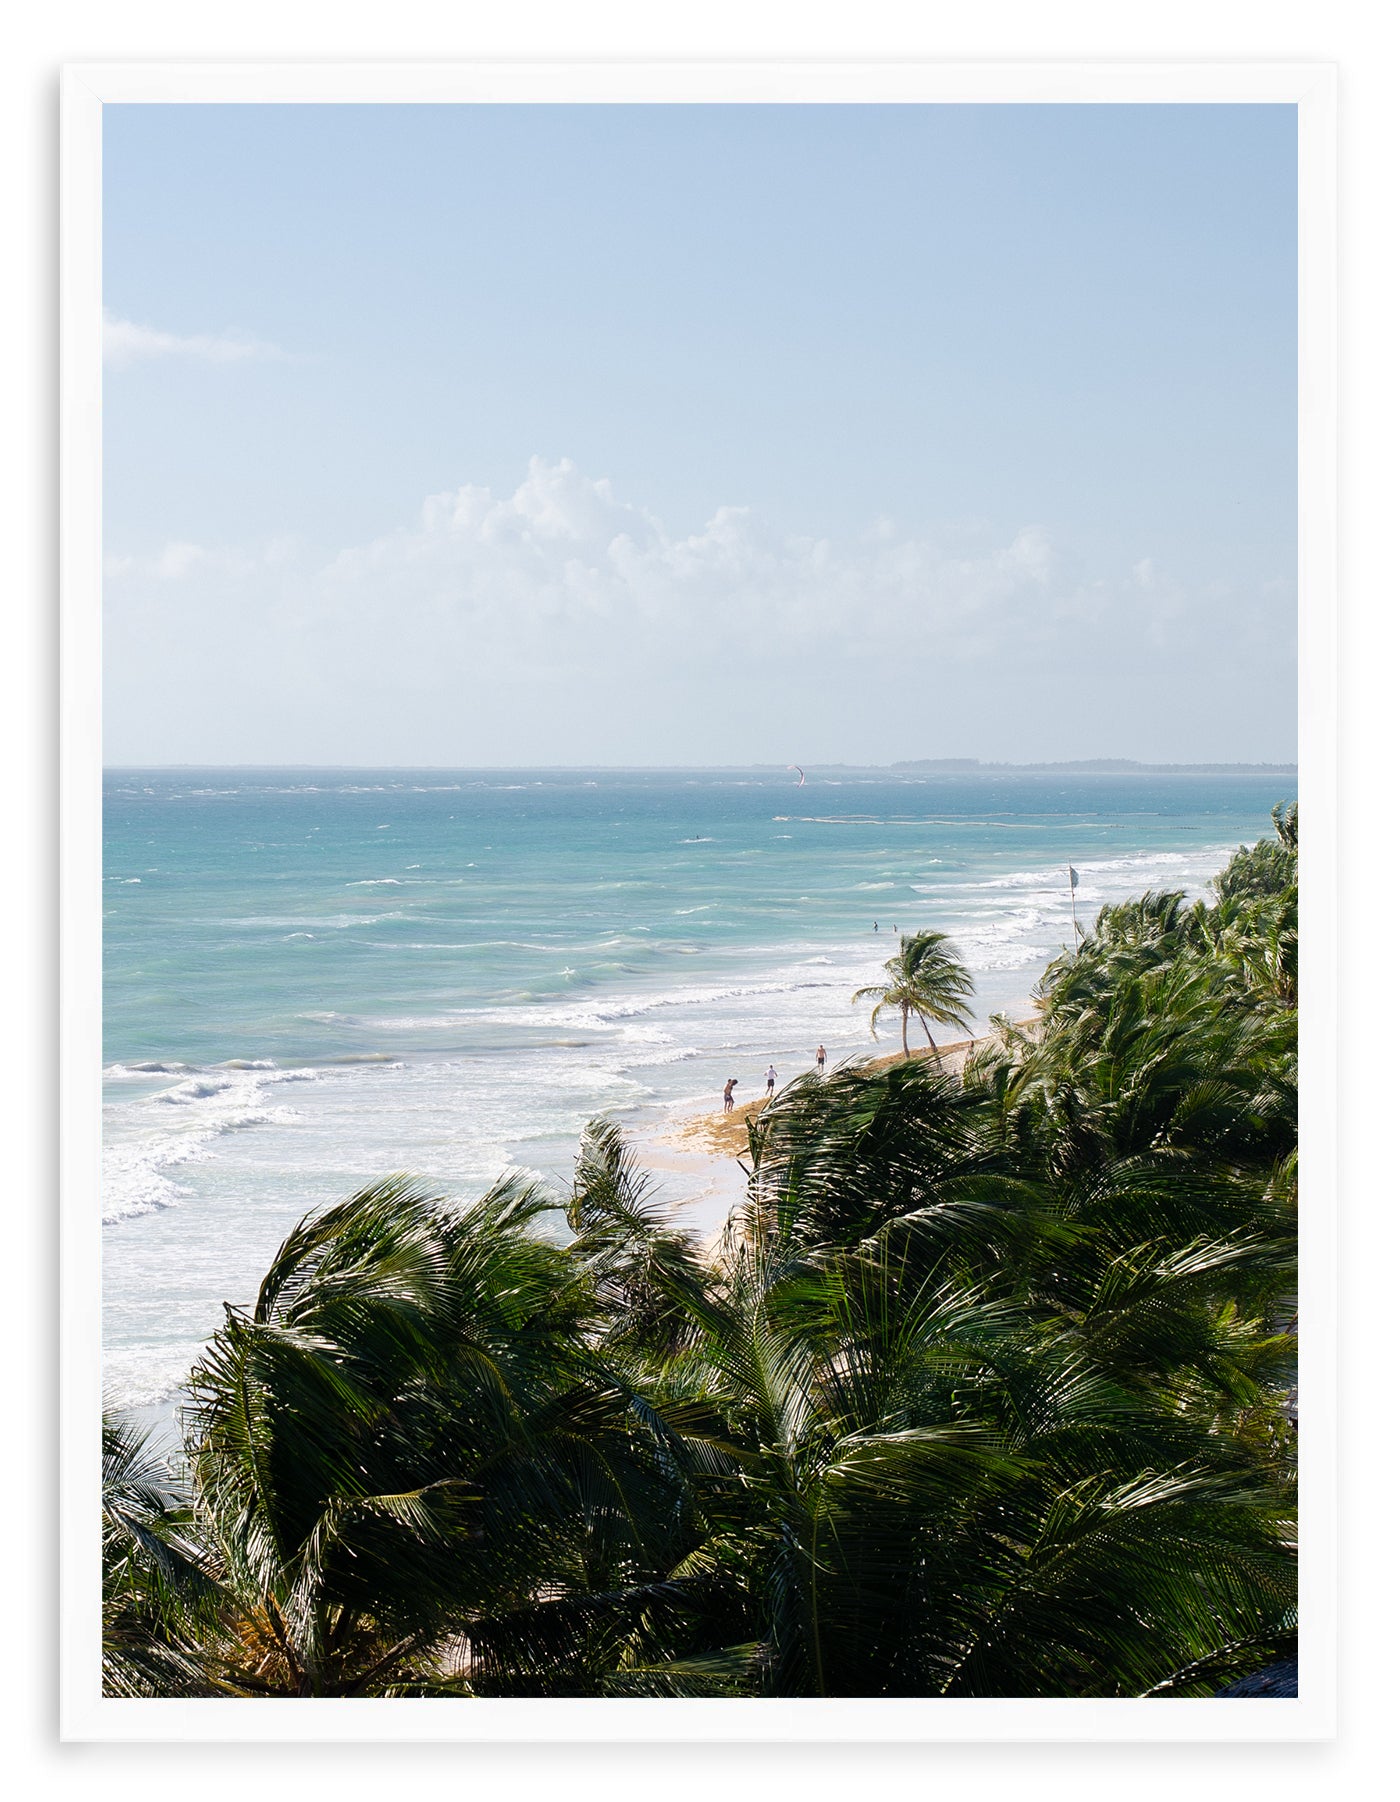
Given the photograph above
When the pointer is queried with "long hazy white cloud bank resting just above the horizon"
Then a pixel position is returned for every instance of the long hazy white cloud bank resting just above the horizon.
(565, 624)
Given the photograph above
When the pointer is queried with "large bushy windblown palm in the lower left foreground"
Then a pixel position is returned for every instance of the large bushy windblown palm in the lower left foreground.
(410, 1435)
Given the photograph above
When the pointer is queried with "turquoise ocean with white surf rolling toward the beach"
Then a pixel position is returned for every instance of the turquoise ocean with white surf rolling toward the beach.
(320, 978)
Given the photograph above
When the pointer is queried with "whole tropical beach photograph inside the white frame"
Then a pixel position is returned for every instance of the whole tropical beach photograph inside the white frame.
(700, 904)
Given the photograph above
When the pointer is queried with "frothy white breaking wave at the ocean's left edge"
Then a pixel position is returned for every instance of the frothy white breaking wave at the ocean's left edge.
(183, 1125)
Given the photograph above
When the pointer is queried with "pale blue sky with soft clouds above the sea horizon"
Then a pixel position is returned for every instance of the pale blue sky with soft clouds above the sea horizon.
(700, 435)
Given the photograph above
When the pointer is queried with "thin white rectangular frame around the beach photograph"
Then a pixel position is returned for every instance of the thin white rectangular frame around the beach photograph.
(86, 89)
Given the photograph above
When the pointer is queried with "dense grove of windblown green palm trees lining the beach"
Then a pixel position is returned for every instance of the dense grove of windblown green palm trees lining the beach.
(983, 1392)
